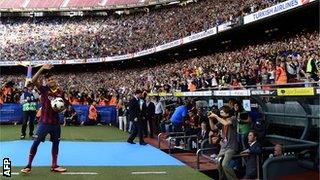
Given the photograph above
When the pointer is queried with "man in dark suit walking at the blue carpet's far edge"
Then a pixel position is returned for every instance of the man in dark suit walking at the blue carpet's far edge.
(135, 108)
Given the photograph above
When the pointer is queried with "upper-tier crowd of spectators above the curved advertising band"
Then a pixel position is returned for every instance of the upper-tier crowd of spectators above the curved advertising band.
(61, 38)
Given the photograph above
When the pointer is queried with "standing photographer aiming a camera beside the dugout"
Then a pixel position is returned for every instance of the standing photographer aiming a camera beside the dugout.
(229, 144)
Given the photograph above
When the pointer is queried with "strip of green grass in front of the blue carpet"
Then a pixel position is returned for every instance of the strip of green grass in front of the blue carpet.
(115, 173)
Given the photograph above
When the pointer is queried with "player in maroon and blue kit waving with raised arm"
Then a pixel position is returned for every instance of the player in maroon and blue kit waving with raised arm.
(49, 120)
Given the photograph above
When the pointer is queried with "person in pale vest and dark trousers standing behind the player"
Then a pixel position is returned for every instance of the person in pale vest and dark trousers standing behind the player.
(29, 106)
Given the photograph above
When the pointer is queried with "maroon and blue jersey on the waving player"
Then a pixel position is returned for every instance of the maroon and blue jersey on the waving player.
(48, 115)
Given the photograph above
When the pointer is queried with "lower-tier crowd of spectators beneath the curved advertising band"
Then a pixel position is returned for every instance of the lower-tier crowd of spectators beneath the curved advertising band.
(294, 59)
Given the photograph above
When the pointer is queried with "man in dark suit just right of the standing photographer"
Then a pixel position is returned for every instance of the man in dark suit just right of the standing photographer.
(251, 154)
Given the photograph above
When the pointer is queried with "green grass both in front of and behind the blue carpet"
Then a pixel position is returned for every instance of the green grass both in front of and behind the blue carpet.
(105, 134)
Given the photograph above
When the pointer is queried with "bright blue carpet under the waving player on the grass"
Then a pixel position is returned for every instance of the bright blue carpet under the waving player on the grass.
(87, 154)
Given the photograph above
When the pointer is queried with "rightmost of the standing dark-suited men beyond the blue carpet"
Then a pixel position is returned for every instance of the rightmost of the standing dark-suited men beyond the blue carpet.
(149, 115)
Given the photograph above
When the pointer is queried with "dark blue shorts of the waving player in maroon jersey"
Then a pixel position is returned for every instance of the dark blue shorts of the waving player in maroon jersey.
(44, 129)
